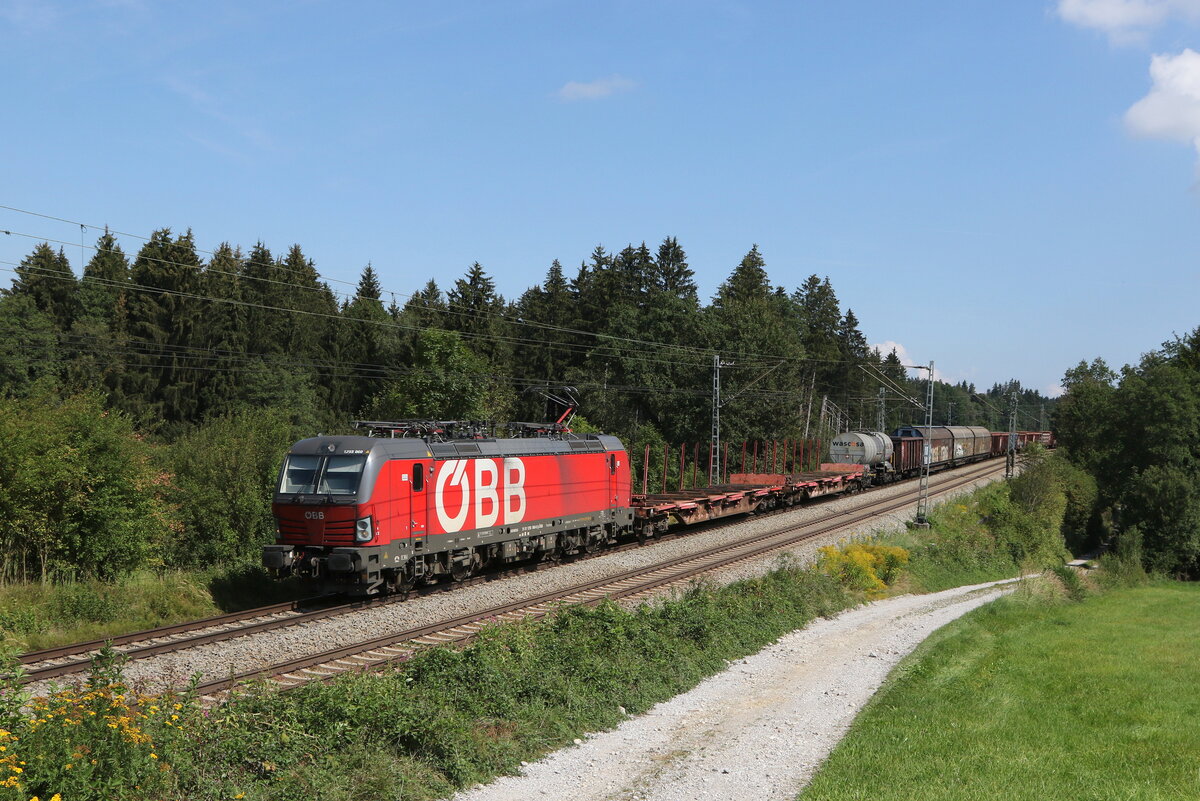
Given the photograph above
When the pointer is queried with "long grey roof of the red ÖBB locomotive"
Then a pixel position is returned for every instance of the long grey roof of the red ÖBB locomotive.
(416, 449)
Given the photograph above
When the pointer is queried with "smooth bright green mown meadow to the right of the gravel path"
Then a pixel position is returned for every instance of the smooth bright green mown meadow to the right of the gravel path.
(1023, 700)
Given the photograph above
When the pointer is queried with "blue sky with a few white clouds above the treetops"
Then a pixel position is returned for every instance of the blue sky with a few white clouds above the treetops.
(1004, 188)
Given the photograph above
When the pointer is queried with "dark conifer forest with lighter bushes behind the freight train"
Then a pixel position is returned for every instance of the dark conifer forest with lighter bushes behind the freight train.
(148, 403)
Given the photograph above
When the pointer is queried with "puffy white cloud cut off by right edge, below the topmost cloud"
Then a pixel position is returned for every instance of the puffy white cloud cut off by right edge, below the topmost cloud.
(1172, 110)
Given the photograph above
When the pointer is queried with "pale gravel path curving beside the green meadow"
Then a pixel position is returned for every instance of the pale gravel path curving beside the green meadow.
(758, 731)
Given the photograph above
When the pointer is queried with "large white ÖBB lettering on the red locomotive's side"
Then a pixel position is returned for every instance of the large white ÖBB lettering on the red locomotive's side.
(487, 487)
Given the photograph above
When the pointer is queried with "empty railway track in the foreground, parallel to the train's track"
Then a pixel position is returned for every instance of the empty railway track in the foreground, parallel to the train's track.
(629, 587)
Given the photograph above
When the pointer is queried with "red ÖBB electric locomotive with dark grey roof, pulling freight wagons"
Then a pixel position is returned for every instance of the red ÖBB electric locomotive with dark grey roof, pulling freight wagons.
(367, 514)
